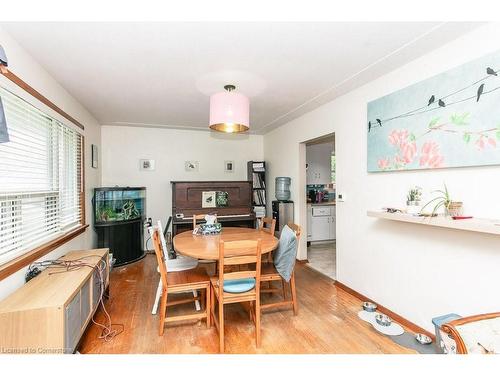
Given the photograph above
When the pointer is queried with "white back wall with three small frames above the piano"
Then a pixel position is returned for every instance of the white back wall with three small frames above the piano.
(123, 147)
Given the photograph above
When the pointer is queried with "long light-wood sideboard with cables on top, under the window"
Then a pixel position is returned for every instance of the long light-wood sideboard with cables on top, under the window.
(49, 314)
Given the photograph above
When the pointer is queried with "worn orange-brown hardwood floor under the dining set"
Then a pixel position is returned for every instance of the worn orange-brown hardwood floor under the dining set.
(327, 321)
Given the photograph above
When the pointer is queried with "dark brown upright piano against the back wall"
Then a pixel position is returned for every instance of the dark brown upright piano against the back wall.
(187, 201)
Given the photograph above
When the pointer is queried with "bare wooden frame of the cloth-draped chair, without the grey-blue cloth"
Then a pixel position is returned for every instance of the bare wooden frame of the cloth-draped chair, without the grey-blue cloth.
(269, 274)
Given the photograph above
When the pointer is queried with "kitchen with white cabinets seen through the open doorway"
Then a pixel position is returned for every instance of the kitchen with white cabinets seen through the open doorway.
(321, 205)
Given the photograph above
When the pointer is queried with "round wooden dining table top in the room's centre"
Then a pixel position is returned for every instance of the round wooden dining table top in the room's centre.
(207, 246)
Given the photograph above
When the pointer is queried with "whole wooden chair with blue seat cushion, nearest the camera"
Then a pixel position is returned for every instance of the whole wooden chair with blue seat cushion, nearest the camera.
(237, 286)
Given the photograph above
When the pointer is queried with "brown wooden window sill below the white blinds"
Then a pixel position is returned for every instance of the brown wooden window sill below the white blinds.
(16, 264)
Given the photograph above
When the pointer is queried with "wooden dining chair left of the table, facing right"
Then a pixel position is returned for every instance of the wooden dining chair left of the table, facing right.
(177, 282)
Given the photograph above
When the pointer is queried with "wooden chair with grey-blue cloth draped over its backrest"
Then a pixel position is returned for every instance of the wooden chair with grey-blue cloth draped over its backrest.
(282, 268)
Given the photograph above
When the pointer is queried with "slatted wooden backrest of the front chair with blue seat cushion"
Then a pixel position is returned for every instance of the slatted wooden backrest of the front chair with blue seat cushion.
(236, 253)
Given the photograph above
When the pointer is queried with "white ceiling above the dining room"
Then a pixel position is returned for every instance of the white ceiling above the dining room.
(161, 74)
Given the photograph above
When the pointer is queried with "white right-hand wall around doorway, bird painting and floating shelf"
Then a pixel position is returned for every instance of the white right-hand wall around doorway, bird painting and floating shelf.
(418, 272)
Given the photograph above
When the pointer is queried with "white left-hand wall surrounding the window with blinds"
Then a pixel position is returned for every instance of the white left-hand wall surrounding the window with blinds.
(23, 65)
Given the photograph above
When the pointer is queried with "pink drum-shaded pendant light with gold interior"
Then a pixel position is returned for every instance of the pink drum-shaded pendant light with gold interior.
(229, 111)
